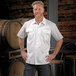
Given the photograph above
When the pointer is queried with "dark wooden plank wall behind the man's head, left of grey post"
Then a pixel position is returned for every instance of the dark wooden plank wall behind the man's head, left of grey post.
(22, 9)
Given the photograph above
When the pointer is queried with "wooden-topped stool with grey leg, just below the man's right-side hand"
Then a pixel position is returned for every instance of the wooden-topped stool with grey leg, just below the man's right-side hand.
(57, 68)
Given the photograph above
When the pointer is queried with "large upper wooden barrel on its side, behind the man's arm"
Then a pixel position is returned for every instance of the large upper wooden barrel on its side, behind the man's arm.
(8, 33)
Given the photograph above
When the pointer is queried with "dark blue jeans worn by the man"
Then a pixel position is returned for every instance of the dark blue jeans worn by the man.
(42, 70)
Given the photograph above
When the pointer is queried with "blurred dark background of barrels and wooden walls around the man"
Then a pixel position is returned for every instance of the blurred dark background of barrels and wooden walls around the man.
(13, 14)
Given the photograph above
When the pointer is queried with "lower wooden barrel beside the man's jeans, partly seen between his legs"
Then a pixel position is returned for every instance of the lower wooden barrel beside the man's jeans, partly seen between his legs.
(17, 68)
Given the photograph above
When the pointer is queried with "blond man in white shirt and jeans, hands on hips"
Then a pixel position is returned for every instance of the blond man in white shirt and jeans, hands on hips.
(38, 32)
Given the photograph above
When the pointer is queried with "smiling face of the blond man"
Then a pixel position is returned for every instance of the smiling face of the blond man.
(38, 10)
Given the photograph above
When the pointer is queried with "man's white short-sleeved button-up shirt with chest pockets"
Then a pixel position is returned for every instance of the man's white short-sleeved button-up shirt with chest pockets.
(38, 39)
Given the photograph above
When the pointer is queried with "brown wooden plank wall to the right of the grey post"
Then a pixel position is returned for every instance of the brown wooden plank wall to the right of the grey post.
(67, 19)
